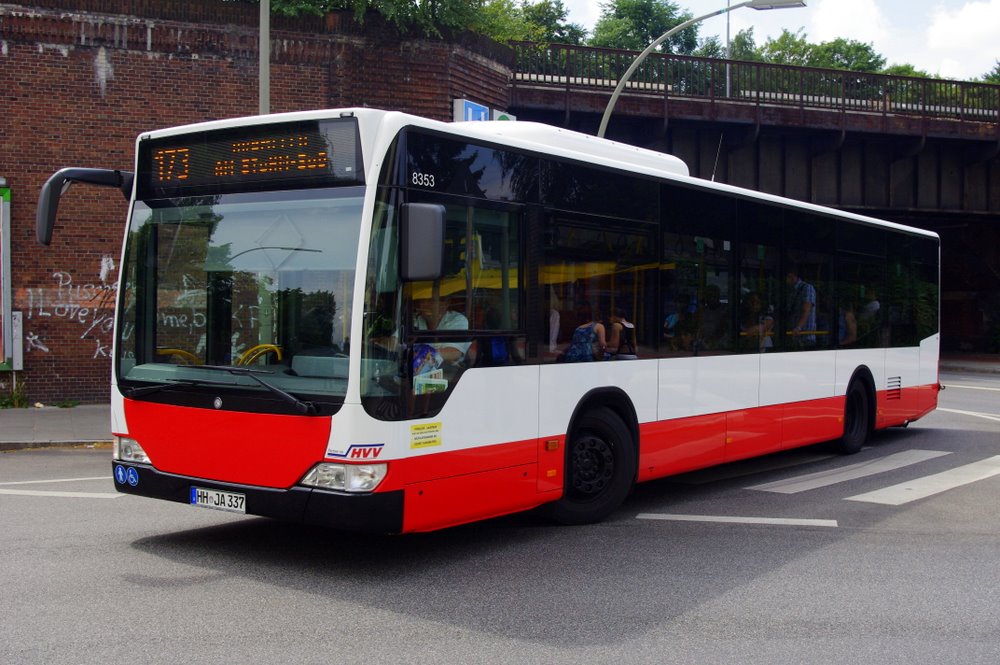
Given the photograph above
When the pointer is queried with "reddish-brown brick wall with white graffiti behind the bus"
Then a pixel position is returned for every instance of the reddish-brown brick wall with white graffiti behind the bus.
(79, 79)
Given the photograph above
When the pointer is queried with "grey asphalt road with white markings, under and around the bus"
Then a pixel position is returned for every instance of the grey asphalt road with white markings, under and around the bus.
(888, 556)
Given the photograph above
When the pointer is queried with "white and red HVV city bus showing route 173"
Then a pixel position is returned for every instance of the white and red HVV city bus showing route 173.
(375, 321)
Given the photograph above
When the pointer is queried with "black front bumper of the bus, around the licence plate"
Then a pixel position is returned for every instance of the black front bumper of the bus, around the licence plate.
(380, 512)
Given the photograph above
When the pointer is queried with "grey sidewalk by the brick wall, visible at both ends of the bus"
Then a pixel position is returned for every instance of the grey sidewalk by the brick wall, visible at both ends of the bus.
(91, 423)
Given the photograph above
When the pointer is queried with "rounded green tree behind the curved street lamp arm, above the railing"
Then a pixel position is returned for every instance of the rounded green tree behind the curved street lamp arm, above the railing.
(635, 24)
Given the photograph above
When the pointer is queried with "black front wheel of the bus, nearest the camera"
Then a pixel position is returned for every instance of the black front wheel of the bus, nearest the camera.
(600, 469)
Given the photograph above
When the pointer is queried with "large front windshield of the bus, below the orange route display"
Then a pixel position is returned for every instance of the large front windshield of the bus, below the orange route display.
(258, 281)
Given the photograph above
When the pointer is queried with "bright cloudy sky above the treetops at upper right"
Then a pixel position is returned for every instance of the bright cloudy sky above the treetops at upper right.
(950, 39)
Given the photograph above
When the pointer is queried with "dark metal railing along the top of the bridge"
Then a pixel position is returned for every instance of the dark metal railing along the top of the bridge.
(735, 81)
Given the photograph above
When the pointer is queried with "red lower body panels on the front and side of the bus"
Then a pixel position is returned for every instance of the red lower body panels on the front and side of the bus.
(464, 485)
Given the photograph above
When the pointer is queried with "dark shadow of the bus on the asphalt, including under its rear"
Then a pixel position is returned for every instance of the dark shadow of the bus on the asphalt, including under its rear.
(520, 577)
